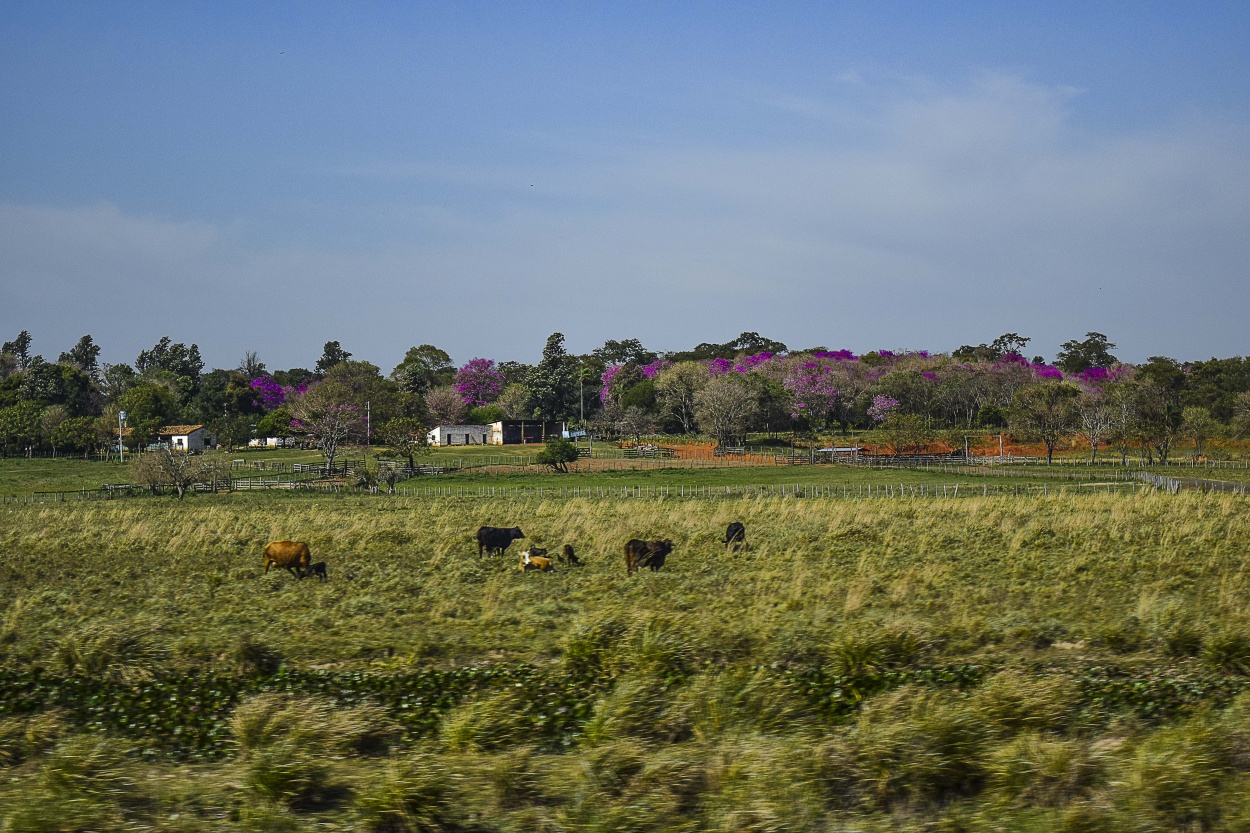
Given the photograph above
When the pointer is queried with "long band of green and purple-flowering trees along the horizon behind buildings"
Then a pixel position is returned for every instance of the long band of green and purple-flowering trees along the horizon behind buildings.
(622, 390)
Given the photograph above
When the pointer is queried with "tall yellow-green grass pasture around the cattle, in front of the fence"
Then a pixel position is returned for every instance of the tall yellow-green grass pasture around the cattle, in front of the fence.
(1061, 664)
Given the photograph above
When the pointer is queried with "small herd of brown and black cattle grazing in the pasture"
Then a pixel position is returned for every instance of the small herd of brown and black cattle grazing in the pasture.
(296, 557)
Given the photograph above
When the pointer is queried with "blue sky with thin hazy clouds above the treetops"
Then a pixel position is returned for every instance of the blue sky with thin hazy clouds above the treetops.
(868, 176)
